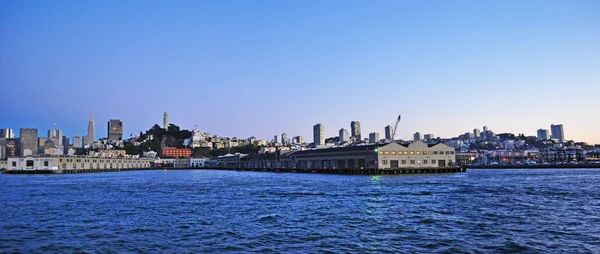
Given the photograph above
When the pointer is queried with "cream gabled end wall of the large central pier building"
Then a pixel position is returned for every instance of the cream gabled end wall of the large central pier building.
(417, 154)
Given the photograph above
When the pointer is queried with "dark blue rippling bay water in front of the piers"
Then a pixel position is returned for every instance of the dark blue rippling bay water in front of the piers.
(479, 211)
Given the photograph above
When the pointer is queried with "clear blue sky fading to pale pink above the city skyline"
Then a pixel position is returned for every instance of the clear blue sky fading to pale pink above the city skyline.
(261, 68)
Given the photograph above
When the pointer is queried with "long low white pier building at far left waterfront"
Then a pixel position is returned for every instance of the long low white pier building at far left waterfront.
(60, 163)
